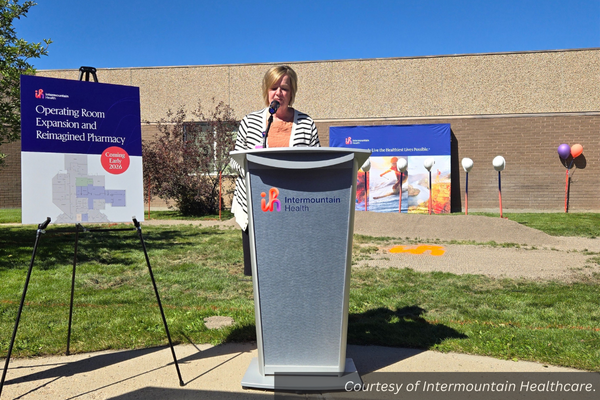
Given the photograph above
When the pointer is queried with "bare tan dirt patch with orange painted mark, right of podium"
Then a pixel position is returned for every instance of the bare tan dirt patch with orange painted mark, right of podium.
(504, 248)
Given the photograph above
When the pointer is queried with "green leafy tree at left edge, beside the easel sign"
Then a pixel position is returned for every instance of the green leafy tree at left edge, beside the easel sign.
(14, 53)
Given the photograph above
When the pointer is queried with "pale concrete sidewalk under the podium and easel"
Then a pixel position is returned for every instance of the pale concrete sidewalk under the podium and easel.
(209, 372)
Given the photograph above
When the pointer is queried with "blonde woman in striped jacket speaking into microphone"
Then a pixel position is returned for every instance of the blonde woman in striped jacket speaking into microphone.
(289, 128)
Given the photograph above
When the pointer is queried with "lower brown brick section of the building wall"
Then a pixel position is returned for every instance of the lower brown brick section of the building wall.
(534, 178)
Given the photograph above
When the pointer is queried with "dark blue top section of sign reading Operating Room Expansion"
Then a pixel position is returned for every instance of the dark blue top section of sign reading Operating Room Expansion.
(68, 116)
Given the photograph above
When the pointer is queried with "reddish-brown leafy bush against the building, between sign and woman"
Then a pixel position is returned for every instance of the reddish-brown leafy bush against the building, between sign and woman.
(185, 161)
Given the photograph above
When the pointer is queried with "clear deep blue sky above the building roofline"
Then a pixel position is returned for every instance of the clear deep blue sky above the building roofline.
(138, 33)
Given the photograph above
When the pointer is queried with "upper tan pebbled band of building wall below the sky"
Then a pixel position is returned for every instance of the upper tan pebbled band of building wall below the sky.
(474, 84)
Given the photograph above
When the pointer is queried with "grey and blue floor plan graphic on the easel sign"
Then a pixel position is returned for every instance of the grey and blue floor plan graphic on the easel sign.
(80, 196)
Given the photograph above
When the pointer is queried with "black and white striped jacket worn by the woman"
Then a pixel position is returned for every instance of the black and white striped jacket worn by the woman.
(304, 133)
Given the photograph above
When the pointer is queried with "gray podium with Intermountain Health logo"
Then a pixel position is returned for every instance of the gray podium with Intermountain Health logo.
(301, 219)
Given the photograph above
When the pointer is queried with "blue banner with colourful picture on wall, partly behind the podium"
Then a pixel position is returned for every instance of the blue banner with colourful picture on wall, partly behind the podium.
(409, 168)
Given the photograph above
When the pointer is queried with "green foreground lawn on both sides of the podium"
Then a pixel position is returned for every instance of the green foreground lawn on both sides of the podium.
(199, 274)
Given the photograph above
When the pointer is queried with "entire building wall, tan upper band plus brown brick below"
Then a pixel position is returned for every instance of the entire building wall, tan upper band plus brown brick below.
(518, 105)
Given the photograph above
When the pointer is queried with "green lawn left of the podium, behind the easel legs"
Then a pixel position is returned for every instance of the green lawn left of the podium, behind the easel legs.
(198, 273)
